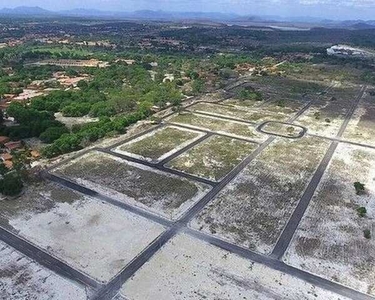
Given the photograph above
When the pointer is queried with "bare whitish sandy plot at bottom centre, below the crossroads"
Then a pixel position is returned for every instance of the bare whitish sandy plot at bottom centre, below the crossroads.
(190, 269)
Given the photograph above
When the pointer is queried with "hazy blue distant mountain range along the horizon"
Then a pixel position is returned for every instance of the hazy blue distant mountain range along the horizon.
(26, 11)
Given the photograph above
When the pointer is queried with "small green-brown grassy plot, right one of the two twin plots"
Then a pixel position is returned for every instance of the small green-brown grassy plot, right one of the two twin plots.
(213, 158)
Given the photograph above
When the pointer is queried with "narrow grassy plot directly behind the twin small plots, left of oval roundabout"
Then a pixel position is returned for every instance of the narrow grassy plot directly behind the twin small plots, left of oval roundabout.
(232, 128)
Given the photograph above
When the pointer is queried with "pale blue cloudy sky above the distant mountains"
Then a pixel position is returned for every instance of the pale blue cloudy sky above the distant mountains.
(332, 9)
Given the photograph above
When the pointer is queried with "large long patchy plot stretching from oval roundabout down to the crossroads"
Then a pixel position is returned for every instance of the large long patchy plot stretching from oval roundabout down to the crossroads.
(253, 209)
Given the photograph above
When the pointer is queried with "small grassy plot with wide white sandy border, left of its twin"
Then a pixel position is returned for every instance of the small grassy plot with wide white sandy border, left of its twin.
(159, 144)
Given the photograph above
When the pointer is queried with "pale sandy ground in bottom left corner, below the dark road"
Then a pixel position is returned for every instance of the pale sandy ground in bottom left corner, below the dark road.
(23, 279)
